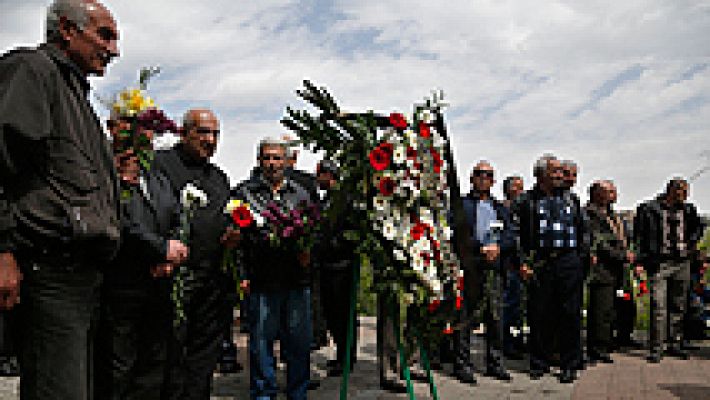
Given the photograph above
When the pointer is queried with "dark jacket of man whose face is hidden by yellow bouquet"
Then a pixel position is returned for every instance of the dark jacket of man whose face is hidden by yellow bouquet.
(149, 218)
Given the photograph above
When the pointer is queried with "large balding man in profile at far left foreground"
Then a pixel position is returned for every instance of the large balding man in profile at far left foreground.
(62, 225)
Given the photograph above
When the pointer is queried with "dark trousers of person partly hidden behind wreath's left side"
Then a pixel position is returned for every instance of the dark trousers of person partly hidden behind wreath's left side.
(336, 286)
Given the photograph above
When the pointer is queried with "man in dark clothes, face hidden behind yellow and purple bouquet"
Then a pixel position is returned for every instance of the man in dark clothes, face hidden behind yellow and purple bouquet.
(136, 318)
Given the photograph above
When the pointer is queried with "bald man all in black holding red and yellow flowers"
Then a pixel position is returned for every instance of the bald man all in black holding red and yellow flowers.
(210, 293)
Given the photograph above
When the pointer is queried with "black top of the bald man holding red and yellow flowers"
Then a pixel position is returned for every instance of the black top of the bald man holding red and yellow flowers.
(208, 224)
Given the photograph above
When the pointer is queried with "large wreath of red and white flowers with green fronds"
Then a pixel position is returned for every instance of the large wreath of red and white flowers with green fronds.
(394, 189)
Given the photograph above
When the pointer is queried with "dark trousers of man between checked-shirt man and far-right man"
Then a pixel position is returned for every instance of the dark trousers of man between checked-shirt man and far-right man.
(600, 317)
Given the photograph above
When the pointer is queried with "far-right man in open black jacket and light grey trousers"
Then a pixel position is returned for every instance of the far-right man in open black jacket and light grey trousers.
(667, 230)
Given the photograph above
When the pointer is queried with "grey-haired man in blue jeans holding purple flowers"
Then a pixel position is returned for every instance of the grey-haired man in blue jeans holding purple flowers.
(277, 229)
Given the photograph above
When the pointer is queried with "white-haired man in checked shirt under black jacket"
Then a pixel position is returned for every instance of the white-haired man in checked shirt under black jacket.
(554, 243)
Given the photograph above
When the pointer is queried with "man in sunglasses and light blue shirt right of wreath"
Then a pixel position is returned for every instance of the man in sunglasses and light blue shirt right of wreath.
(490, 237)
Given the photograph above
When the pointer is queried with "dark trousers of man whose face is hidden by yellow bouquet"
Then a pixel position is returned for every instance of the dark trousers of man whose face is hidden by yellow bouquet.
(134, 330)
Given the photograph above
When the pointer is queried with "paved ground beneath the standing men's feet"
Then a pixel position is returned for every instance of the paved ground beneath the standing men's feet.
(630, 377)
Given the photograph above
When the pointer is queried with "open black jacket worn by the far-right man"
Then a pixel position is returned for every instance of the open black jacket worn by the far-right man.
(648, 230)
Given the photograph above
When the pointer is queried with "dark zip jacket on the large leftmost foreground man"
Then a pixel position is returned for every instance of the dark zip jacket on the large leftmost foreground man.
(56, 165)
